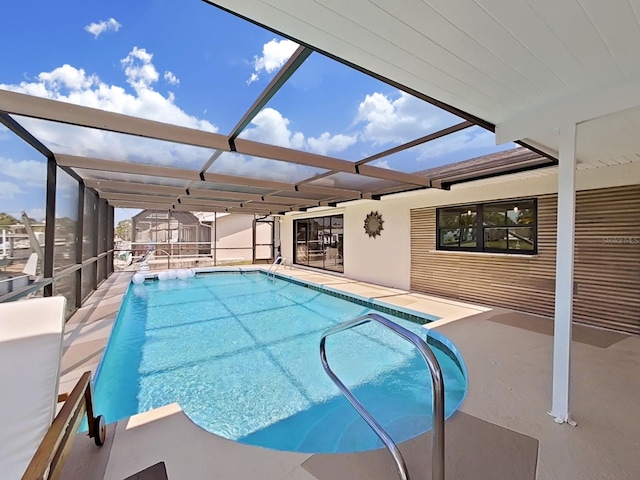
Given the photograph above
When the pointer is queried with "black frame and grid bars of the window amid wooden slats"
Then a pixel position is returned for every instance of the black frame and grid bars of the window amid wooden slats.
(480, 227)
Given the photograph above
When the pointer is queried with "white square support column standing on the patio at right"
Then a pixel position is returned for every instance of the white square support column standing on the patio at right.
(564, 275)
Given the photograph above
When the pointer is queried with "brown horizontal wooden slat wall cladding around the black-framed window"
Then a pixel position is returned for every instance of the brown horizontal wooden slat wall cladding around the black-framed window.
(607, 262)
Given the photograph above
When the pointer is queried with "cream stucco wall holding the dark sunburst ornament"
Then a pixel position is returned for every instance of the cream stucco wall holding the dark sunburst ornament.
(386, 259)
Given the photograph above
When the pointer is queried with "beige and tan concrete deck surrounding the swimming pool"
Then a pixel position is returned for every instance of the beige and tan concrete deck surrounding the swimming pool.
(502, 430)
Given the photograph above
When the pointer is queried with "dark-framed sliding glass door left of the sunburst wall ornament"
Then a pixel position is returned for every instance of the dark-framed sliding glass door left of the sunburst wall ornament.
(319, 242)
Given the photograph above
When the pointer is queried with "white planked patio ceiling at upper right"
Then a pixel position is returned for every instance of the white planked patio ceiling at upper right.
(527, 67)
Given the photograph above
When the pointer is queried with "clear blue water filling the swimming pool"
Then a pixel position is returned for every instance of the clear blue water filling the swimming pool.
(240, 354)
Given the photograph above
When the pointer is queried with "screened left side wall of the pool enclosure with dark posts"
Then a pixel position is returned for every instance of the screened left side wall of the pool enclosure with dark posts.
(56, 235)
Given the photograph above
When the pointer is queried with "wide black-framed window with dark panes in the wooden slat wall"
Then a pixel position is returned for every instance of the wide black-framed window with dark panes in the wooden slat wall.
(505, 227)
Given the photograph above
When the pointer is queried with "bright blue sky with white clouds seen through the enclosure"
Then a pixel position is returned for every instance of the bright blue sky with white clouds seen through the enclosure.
(188, 63)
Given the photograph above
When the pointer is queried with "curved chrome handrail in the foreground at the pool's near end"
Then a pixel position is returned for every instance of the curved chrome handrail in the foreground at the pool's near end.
(436, 380)
